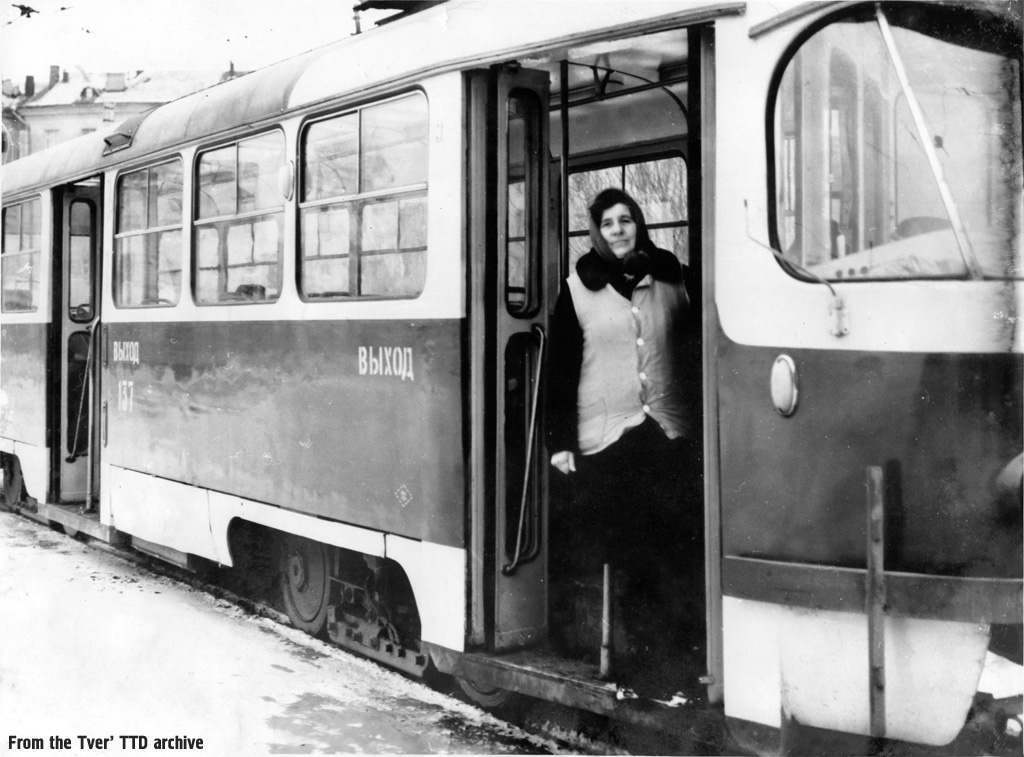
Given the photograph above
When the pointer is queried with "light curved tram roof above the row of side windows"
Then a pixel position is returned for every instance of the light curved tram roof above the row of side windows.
(451, 36)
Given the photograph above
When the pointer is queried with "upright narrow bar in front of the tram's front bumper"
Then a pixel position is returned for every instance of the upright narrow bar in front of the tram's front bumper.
(875, 601)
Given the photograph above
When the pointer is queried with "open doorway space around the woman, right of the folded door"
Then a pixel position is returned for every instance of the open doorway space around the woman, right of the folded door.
(622, 119)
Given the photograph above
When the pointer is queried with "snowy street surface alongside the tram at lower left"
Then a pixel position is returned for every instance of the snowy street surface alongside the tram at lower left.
(96, 650)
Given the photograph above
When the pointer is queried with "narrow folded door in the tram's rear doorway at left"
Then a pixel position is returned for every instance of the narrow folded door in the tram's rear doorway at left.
(77, 220)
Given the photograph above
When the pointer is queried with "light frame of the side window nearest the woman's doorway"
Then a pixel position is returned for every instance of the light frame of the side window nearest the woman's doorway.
(356, 202)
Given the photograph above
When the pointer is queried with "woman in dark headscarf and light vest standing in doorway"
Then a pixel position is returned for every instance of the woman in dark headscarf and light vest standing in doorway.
(618, 423)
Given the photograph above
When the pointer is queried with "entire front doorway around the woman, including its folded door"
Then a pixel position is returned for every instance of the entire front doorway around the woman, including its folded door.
(622, 114)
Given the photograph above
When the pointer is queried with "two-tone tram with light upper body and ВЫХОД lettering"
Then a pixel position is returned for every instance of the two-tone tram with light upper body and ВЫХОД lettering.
(304, 314)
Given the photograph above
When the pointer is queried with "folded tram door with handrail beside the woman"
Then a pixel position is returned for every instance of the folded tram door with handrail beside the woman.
(514, 280)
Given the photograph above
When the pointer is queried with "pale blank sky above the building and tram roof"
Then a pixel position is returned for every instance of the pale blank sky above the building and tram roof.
(107, 36)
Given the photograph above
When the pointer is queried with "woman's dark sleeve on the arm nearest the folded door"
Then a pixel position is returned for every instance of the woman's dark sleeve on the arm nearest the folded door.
(565, 361)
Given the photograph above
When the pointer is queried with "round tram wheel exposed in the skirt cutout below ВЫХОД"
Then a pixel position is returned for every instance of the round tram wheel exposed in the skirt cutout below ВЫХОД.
(306, 583)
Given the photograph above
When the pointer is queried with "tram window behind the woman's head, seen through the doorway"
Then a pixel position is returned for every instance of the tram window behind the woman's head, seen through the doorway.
(660, 188)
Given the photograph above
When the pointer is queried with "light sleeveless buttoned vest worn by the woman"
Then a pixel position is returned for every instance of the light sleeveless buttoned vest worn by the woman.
(628, 369)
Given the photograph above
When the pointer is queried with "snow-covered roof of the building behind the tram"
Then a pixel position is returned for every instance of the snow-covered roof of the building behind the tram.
(150, 88)
